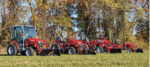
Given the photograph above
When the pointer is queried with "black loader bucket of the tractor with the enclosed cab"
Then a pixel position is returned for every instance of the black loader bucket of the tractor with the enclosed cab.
(50, 52)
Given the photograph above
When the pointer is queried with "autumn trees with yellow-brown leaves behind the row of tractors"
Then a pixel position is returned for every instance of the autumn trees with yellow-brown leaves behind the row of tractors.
(99, 17)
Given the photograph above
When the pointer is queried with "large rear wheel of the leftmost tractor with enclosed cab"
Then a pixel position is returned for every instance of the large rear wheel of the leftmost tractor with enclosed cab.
(12, 50)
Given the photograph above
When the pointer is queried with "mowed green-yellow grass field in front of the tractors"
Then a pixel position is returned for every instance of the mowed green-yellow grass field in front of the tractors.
(100, 60)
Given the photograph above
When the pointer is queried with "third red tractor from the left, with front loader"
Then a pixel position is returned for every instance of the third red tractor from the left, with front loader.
(102, 45)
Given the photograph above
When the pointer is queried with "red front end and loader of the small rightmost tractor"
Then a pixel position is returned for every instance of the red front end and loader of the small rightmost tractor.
(131, 48)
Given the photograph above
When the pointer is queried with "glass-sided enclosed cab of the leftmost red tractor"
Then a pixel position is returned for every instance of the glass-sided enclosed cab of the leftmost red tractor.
(20, 33)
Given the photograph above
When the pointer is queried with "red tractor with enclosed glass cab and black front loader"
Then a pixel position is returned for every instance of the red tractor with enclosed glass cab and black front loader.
(24, 40)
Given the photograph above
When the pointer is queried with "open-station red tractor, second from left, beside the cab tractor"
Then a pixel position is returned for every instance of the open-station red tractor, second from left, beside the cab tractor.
(70, 46)
